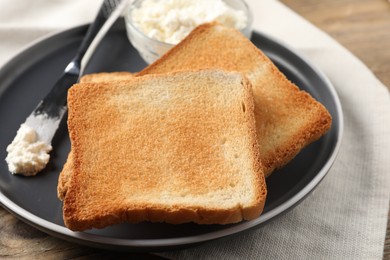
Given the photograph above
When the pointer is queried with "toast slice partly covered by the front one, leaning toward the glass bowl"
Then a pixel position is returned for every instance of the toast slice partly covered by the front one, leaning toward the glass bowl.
(287, 119)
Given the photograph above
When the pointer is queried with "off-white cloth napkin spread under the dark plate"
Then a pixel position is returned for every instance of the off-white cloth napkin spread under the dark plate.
(345, 217)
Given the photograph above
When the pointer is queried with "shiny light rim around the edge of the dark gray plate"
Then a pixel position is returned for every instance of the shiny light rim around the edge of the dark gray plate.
(168, 243)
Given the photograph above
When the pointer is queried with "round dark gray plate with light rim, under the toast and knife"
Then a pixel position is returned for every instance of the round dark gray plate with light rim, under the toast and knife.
(30, 75)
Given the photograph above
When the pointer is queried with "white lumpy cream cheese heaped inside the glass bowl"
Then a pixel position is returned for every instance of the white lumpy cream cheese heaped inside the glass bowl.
(171, 21)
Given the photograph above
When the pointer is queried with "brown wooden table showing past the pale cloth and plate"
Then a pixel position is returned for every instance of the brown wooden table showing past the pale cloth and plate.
(362, 26)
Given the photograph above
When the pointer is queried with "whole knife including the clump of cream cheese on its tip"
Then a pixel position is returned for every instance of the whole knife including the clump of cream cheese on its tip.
(28, 153)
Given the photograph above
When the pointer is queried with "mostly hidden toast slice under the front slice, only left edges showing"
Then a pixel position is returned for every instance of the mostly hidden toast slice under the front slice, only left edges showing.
(64, 176)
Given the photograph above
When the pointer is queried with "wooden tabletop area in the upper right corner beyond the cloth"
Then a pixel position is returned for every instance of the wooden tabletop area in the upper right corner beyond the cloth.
(362, 26)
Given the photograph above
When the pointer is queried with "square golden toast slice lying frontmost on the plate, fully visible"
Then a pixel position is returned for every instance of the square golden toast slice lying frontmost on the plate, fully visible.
(176, 148)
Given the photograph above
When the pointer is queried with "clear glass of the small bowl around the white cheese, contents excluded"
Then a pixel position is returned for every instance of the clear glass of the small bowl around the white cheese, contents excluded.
(151, 49)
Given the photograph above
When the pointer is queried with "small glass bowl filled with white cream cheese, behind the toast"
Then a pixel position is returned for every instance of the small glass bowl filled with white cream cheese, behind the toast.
(154, 26)
